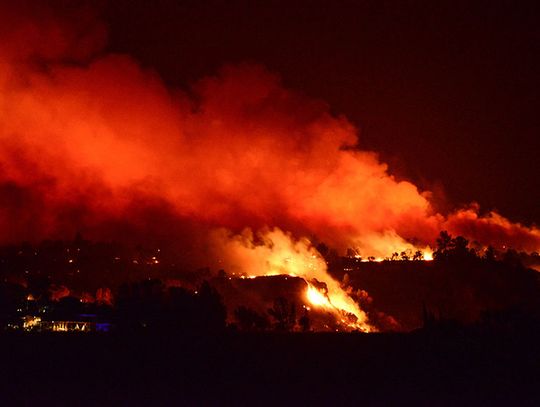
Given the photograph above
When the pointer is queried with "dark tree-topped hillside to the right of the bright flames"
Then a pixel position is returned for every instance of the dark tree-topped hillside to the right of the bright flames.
(462, 284)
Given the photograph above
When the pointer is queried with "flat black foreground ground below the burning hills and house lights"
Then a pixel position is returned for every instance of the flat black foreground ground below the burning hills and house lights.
(438, 367)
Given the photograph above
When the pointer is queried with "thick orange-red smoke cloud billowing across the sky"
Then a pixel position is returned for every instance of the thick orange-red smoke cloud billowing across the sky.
(94, 143)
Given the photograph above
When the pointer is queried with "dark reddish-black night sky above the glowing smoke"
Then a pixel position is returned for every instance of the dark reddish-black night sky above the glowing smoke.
(446, 92)
